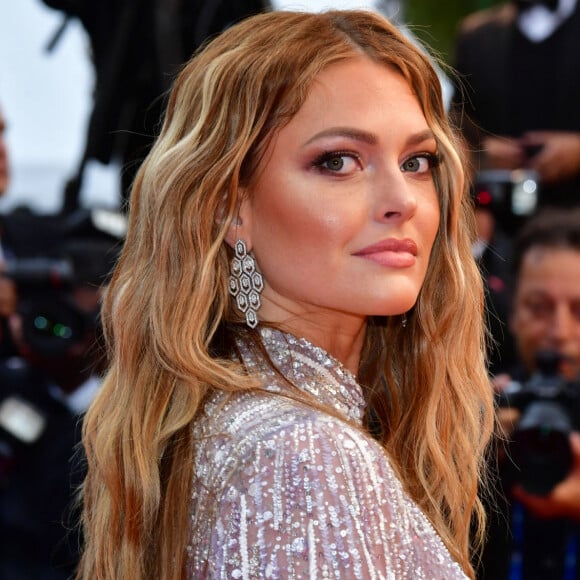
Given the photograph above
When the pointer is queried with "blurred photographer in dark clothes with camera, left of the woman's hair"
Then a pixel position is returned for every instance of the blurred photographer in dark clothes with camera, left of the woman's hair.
(44, 390)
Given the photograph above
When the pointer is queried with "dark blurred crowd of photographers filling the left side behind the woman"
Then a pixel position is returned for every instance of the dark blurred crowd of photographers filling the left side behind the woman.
(53, 269)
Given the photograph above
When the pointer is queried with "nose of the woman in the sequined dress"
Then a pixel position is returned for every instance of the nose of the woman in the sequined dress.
(396, 197)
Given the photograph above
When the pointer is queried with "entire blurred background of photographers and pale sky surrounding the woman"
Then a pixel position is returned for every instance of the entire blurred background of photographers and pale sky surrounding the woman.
(82, 85)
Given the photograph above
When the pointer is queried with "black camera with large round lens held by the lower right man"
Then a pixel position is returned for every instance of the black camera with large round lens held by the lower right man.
(539, 449)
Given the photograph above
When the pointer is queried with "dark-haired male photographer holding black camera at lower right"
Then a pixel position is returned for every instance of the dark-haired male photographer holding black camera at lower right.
(543, 489)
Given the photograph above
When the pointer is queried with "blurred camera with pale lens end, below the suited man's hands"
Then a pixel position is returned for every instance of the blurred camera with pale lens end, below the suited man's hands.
(511, 195)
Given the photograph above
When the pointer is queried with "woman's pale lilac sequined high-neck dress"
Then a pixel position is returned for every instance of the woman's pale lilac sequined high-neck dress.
(284, 490)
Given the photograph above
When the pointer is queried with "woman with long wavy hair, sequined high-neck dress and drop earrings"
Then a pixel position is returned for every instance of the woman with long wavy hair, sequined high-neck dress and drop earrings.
(297, 272)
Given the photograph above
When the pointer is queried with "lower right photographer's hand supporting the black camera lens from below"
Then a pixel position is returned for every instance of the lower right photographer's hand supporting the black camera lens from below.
(564, 499)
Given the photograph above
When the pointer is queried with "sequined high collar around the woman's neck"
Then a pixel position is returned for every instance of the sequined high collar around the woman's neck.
(309, 368)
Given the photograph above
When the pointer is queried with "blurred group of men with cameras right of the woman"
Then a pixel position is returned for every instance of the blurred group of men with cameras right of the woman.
(516, 104)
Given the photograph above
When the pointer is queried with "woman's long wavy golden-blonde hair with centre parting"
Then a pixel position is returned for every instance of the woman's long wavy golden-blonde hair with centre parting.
(167, 313)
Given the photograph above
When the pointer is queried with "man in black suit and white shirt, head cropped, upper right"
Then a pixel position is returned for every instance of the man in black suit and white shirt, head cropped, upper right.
(518, 92)
